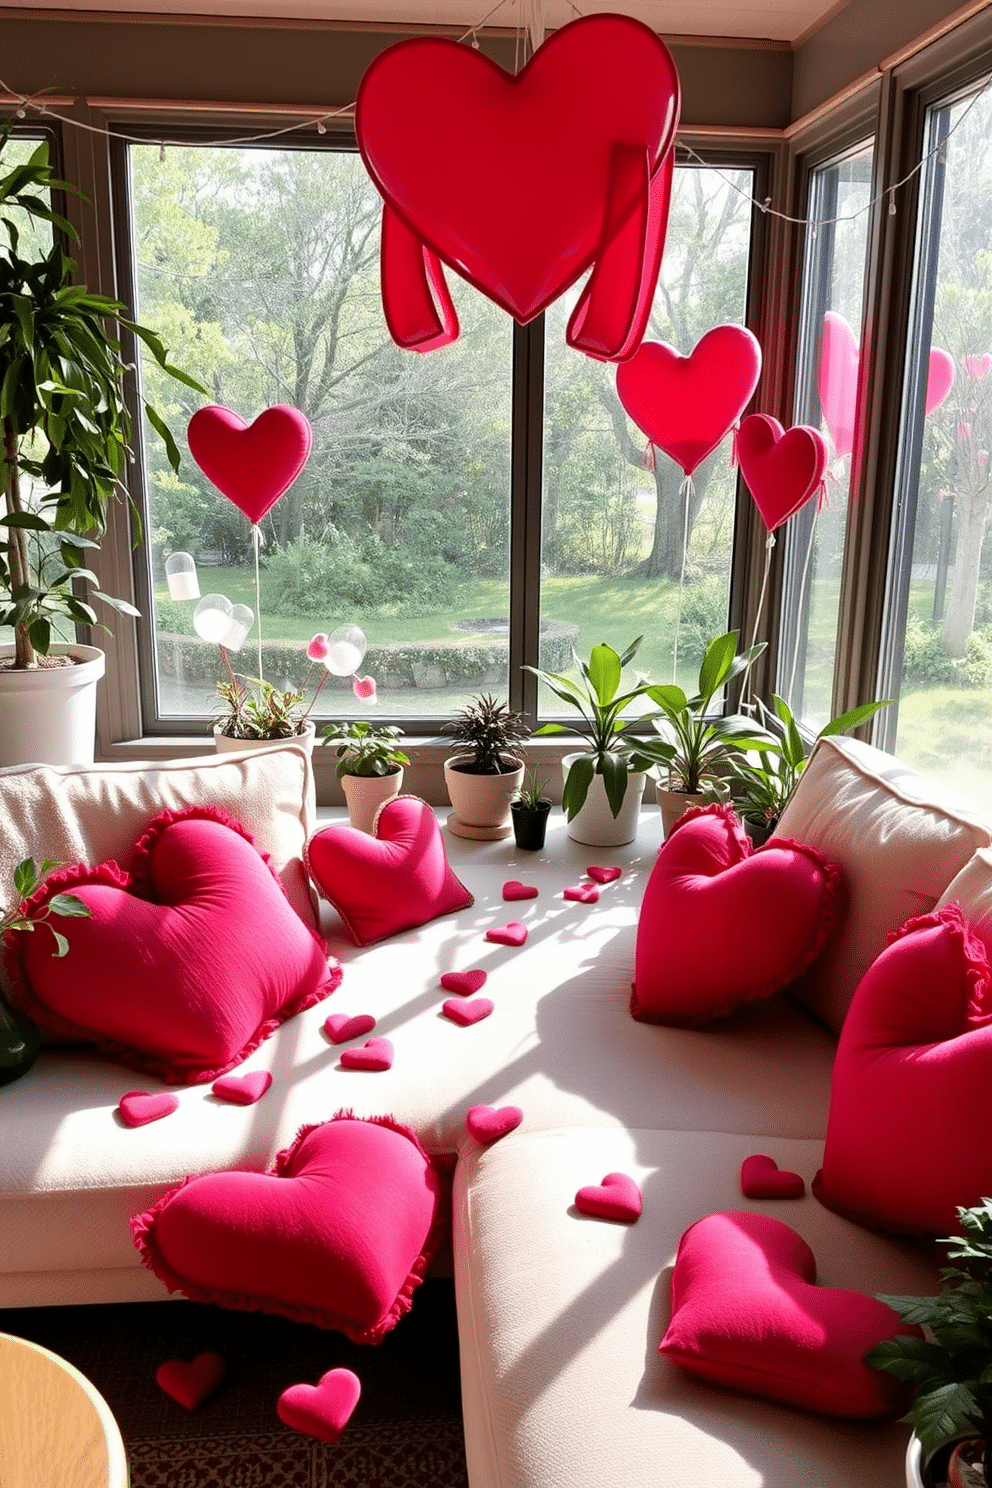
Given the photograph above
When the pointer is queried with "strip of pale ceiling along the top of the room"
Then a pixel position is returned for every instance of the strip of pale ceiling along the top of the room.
(785, 22)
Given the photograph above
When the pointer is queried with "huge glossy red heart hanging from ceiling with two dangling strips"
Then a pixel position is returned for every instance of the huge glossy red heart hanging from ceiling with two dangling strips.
(520, 184)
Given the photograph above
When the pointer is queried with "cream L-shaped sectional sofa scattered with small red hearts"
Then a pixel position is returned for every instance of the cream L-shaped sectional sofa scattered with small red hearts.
(560, 1315)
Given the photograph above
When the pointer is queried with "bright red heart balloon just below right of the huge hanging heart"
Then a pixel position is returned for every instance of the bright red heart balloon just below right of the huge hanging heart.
(686, 405)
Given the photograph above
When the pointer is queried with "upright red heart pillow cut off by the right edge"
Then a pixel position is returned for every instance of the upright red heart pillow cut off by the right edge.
(908, 1129)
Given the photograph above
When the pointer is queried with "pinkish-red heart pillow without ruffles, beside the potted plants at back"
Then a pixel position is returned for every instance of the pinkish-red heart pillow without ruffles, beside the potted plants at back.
(392, 882)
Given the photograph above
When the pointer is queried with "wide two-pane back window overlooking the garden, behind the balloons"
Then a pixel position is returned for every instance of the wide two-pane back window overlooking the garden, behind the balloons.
(260, 267)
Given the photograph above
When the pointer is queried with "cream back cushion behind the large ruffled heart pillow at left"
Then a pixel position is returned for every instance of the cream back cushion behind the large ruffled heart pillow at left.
(97, 812)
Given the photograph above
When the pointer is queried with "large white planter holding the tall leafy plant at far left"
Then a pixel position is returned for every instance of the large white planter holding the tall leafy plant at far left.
(50, 716)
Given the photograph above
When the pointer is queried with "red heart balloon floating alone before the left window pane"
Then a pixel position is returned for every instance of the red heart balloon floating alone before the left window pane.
(252, 465)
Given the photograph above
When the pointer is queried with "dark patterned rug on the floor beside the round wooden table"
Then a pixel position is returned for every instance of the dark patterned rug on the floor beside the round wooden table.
(405, 1434)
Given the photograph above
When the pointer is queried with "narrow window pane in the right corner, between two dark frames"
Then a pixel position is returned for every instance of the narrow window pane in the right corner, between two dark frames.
(826, 397)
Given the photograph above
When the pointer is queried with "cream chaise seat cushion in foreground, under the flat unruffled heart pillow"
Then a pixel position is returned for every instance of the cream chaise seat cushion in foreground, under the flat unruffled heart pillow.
(560, 1321)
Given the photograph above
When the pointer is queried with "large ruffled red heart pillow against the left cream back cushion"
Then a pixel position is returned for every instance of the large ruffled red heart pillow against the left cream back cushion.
(187, 963)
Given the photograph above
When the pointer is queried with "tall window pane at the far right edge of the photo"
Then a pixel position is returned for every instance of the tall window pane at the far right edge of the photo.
(939, 599)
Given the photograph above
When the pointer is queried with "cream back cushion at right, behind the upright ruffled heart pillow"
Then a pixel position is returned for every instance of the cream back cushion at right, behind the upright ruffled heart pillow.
(899, 837)
